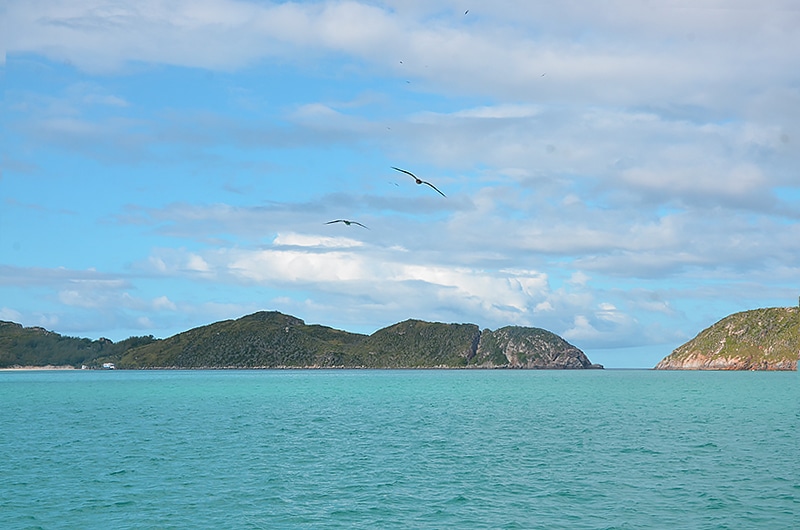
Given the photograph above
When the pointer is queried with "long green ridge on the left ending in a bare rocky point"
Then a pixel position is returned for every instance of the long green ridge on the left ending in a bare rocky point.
(274, 340)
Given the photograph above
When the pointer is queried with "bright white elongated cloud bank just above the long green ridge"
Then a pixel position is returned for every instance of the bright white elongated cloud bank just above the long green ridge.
(371, 273)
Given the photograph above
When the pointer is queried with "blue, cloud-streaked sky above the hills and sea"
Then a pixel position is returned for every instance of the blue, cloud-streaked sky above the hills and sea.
(623, 173)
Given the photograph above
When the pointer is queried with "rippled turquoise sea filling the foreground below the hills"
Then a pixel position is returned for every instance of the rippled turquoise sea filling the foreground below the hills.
(399, 449)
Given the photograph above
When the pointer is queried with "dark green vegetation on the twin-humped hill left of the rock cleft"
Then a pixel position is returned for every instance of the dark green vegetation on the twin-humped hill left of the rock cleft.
(274, 340)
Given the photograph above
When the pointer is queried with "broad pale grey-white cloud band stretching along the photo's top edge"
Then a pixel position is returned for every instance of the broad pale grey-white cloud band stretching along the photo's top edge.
(582, 49)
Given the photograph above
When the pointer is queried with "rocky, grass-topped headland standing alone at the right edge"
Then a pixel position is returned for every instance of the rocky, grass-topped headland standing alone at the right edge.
(761, 339)
